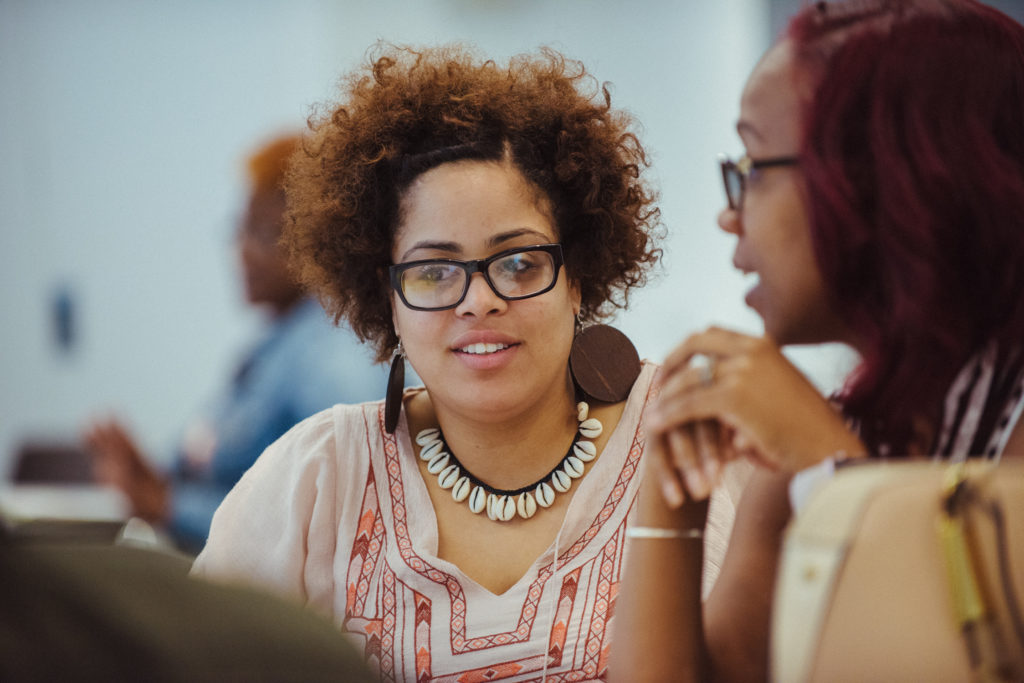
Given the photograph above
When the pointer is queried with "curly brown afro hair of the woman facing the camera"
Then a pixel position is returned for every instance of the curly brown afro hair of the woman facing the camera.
(408, 111)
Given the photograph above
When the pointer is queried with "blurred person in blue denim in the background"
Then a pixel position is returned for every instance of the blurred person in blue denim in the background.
(303, 365)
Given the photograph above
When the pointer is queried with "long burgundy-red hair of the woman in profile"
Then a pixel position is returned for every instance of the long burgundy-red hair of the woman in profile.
(914, 156)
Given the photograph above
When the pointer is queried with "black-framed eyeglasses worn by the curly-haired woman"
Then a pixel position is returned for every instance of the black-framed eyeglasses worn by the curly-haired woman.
(438, 284)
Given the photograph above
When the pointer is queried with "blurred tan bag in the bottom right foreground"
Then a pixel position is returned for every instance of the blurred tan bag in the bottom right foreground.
(910, 572)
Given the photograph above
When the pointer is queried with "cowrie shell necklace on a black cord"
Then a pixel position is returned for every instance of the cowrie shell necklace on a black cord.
(503, 504)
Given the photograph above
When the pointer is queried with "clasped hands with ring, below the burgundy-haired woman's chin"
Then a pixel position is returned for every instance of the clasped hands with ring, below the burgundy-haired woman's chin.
(750, 403)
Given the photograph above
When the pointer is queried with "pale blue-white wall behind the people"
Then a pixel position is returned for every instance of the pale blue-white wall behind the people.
(124, 122)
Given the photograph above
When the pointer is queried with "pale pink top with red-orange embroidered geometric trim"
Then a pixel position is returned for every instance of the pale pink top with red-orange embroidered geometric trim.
(337, 515)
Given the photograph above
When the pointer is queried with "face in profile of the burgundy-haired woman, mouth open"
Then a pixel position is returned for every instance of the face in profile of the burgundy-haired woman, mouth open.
(773, 227)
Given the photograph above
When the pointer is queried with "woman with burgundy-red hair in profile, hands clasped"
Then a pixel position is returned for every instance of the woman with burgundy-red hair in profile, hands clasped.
(880, 205)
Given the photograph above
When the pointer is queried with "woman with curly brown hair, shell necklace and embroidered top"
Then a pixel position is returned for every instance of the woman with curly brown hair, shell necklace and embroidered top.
(470, 219)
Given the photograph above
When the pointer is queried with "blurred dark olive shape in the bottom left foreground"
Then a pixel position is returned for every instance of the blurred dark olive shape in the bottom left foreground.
(94, 612)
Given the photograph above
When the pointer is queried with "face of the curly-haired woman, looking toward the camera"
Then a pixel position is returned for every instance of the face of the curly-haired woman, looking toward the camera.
(473, 210)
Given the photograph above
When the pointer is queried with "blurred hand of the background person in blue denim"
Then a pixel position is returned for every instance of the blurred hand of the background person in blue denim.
(118, 461)
